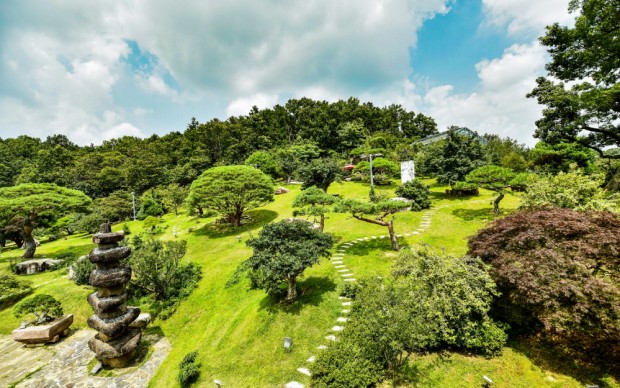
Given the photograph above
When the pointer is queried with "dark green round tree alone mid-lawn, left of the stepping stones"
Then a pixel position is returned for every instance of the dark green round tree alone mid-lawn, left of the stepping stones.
(282, 251)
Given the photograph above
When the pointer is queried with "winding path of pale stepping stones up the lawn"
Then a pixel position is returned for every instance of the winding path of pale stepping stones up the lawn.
(347, 276)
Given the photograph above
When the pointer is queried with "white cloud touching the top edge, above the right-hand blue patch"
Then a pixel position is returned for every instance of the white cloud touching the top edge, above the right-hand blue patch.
(527, 16)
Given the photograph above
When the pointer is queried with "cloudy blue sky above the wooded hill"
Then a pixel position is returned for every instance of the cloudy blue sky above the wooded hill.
(98, 70)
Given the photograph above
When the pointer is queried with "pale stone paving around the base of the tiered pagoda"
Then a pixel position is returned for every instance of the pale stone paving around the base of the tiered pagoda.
(65, 364)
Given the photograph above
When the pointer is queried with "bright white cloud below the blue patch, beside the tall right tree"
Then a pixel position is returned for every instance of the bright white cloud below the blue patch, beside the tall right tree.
(500, 106)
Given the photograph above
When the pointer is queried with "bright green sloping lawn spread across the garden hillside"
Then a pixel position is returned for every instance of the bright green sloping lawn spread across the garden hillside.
(239, 332)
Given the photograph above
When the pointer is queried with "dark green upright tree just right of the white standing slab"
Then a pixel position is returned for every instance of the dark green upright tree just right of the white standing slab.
(460, 155)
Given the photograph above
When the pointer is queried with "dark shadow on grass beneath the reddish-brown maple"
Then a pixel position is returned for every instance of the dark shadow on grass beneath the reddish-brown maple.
(587, 368)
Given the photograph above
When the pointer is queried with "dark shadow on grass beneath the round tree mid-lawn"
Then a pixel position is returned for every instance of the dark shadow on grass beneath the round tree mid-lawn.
(311, 292)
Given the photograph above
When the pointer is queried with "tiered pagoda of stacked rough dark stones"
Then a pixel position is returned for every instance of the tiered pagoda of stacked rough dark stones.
(117, 340)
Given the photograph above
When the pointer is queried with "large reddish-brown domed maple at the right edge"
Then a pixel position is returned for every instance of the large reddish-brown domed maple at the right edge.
(557, 271)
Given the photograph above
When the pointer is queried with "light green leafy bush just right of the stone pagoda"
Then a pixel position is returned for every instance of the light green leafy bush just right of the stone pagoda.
(156, 264)
